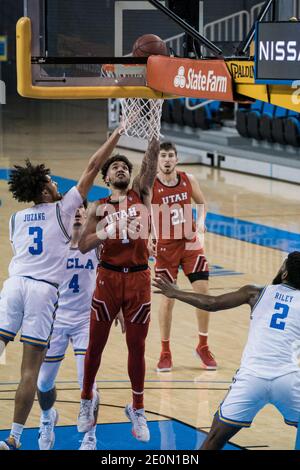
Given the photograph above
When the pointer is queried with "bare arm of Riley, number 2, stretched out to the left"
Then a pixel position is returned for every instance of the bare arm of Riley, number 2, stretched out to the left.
(245, 295)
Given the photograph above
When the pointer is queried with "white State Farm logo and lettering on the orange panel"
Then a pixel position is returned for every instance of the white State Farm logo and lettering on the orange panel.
(199, 80)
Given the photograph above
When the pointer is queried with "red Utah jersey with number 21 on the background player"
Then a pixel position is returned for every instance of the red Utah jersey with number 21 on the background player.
(172, 209)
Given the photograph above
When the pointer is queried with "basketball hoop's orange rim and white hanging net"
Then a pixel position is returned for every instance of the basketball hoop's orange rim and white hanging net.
(141, 117)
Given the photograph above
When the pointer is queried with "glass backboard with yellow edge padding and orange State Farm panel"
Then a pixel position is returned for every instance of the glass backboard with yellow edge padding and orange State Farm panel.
(63, 46)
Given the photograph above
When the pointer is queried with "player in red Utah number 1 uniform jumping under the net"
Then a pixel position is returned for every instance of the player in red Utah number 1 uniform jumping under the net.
(120, 225)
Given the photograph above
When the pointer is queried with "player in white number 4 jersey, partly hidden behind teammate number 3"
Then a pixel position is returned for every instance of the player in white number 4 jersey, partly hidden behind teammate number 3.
(71, 325)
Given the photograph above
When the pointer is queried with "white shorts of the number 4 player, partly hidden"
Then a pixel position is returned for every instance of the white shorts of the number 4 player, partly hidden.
(78, 335)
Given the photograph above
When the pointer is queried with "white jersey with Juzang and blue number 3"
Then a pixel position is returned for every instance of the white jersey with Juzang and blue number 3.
(40, 238)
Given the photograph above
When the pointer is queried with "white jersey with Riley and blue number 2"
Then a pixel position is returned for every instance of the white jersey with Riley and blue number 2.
(274, 328)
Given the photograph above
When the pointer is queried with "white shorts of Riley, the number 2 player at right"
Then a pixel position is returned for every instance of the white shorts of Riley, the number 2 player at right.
(249, 394)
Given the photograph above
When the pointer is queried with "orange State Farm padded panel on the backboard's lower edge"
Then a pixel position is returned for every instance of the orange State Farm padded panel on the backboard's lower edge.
(208, 79)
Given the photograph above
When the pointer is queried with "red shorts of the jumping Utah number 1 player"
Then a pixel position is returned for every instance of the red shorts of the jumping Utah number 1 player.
(130, 292)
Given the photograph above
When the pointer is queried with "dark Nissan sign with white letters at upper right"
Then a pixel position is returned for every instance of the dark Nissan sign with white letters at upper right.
(277, 58)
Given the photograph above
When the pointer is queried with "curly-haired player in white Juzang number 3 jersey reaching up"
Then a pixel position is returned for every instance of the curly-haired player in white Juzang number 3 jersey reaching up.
(40, 241)
